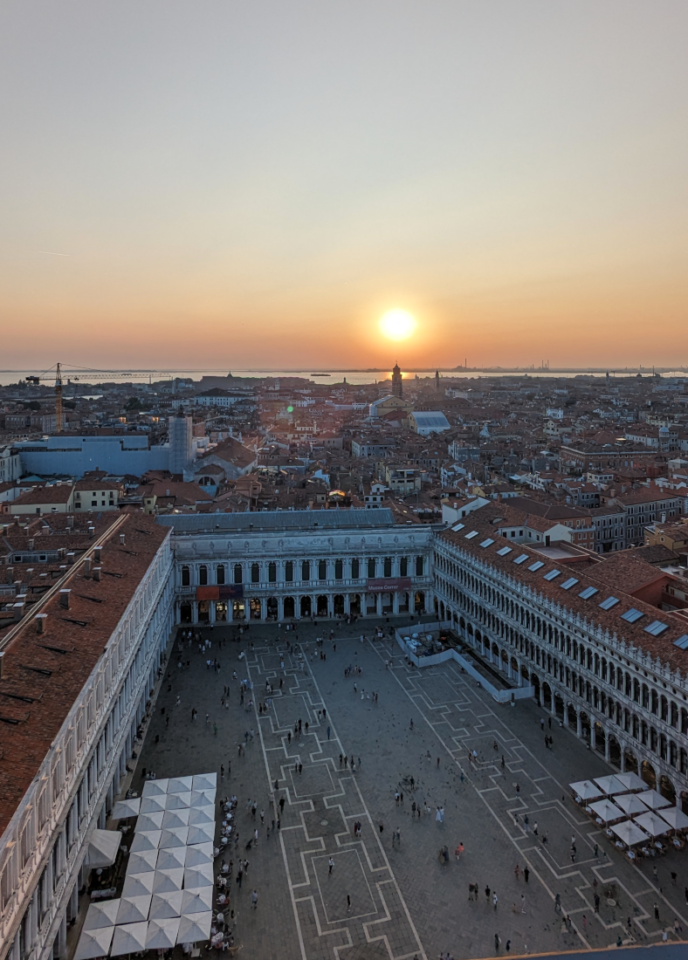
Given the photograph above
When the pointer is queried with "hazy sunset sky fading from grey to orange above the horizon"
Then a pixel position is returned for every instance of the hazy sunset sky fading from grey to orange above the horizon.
(231, 185)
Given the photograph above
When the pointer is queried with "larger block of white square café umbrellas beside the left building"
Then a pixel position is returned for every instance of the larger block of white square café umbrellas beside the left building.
(168, 892)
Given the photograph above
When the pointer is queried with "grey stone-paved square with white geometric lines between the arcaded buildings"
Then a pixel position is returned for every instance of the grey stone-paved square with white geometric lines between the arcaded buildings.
(405, 903)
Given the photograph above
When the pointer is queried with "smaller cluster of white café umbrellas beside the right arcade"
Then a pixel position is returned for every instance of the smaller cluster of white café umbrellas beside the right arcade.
(639, 820)
